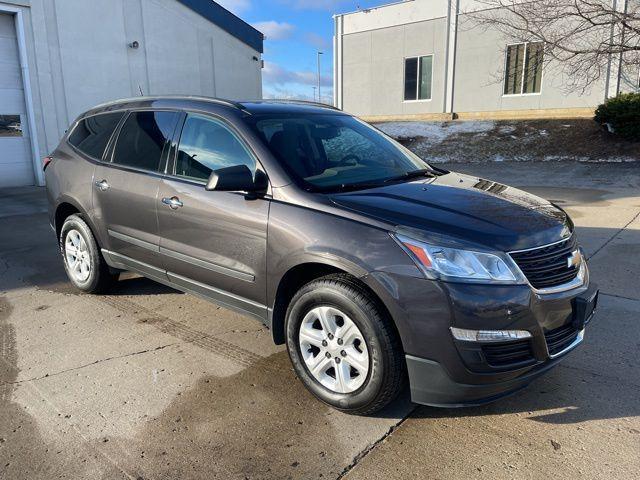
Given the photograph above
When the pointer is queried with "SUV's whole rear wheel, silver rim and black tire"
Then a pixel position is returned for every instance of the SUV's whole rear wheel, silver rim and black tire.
(82, 258)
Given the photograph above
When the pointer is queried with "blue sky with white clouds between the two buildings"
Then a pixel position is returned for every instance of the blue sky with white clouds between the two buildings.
(295, 31)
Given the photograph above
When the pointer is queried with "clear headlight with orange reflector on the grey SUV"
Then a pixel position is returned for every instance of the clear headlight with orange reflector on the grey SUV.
(459, 265)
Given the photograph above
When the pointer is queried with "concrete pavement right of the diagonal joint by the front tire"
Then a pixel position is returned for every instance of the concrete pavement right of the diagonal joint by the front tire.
(582, 420)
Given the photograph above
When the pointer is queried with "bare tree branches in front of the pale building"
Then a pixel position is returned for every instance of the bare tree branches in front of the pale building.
(585, 39)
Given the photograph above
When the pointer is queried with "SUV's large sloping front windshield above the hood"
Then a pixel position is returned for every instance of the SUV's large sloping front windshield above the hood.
(328, 152)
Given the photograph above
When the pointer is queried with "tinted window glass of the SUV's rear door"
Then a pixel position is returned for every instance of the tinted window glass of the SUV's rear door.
(142, 138)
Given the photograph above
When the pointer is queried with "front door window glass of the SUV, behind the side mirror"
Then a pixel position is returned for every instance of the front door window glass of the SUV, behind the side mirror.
(206, 145)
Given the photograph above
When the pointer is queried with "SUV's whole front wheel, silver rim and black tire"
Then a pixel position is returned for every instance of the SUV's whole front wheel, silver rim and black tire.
(343, 347)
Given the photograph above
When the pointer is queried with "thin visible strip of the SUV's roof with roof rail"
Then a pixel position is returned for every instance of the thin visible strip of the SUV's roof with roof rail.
(185, 101)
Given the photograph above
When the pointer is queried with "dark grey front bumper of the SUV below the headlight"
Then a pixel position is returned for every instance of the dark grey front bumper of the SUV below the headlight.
(446, 372)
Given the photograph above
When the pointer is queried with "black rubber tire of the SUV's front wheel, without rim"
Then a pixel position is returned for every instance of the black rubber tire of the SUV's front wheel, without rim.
(386, 377)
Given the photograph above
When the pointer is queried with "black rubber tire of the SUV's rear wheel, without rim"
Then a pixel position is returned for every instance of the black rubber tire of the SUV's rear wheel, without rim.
(100, 278)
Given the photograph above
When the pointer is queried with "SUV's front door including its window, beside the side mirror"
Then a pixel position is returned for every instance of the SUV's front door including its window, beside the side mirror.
(213, 243)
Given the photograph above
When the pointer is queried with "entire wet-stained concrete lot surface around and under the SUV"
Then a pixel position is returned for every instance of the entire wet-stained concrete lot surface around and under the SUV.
(151, 383)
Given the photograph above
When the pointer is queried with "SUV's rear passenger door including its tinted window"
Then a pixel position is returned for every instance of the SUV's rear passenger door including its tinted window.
(126, 188)
